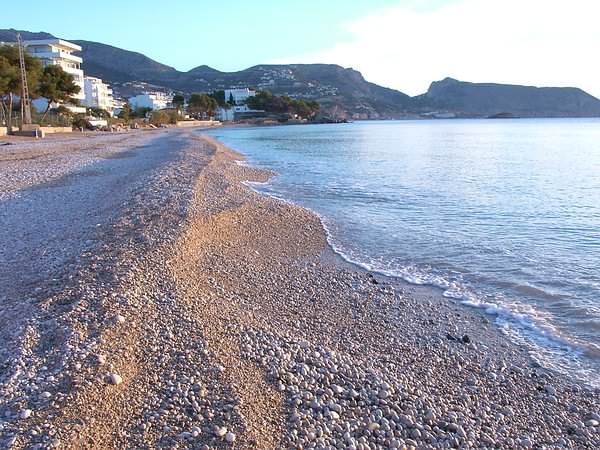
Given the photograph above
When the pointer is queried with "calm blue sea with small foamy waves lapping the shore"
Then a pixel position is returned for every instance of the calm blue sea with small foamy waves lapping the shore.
(502, 215)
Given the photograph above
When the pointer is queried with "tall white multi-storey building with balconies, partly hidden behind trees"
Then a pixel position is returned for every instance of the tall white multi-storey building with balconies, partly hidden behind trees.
(58, 52)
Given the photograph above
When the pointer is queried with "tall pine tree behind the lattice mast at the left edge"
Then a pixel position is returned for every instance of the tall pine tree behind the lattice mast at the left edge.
(10, 77)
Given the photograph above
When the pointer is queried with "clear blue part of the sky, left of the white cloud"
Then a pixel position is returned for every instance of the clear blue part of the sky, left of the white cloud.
(227, 35)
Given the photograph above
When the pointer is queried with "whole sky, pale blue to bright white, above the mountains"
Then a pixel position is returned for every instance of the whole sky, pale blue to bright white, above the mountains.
(402, 44)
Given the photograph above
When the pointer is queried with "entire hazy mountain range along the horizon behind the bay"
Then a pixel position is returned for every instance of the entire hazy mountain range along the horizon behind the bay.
(342, 92)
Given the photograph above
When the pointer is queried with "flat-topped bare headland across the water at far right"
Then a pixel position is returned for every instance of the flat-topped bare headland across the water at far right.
(489, 99)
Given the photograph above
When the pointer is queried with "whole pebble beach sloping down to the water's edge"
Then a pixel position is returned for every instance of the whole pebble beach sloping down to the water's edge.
(189, 311)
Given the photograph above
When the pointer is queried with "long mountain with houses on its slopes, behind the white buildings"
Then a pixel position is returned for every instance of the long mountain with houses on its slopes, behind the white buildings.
(341, 92)
